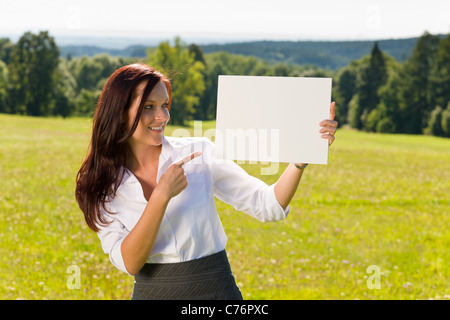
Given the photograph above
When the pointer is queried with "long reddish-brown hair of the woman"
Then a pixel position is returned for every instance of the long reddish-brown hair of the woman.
(102, 171)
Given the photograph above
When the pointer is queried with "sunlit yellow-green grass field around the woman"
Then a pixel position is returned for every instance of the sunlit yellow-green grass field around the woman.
(383, 200)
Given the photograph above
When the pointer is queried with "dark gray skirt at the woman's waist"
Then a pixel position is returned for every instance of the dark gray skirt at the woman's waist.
(207, 278)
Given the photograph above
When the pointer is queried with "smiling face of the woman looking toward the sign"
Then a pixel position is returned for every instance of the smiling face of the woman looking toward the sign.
(154, 117)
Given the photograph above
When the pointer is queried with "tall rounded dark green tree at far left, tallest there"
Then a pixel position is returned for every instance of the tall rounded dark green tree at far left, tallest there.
(33, 62)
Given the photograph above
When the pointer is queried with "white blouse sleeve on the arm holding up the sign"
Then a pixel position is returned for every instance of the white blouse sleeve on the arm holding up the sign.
(245, 193)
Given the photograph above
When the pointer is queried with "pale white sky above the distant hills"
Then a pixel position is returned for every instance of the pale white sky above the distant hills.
(229, 19)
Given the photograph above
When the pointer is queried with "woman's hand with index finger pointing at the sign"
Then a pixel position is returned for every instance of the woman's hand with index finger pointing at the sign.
(173, 181)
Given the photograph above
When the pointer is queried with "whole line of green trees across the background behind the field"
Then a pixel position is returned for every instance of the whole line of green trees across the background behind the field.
(376, 93)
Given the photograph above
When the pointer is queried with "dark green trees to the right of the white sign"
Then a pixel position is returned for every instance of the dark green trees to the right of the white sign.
(379, 94)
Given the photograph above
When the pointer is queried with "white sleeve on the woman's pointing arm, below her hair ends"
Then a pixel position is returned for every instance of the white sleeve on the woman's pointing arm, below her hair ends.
(111, 237)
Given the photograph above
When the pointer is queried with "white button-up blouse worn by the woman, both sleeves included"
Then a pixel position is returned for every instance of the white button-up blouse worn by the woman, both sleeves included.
(191, 227)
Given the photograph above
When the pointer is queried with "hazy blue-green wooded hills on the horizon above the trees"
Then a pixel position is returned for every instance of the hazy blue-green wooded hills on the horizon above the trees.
(325, 54)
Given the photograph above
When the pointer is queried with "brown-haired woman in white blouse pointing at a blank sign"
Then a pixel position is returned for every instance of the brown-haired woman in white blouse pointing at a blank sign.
(150, 198)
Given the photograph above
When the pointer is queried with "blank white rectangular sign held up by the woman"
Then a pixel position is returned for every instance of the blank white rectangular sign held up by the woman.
(272, 119)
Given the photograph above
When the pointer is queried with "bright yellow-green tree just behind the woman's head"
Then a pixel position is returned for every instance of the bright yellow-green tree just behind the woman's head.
(186, 75)
